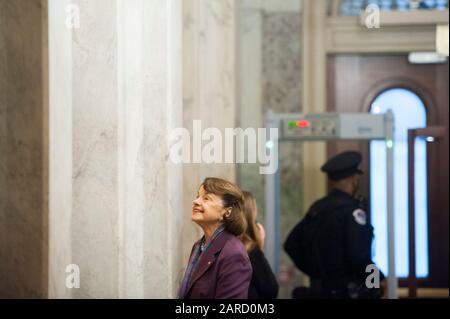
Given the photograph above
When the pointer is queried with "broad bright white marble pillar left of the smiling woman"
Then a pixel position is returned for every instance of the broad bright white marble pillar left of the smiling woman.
(115, 199)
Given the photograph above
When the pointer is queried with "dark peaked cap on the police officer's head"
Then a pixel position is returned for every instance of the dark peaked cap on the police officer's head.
(343, 165)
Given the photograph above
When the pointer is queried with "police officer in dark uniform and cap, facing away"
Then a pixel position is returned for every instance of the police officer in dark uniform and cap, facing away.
(332, 244)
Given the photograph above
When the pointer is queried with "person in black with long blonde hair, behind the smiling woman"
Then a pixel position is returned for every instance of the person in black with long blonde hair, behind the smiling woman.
(264, 284)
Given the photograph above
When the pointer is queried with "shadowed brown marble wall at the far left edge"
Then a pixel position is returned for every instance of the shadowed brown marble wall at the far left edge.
(23, 213)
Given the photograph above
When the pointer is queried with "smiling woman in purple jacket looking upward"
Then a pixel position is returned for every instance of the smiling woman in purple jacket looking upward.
(219, 266)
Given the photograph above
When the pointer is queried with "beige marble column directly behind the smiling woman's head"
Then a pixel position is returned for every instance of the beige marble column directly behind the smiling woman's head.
(209, 88)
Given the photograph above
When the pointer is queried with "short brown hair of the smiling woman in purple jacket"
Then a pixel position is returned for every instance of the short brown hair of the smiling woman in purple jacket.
(233, 198)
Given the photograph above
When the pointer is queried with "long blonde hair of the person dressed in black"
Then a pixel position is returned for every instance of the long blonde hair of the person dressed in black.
(251, 237)
